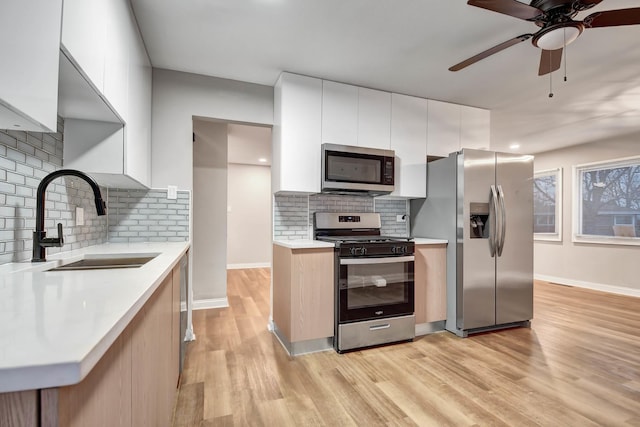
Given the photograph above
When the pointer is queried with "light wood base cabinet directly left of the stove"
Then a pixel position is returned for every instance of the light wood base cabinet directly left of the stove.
(303, 304)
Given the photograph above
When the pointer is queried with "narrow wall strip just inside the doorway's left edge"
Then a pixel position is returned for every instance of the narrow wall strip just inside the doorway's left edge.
(209, 213)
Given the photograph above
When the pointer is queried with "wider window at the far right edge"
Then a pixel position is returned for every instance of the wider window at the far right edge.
(607, 202)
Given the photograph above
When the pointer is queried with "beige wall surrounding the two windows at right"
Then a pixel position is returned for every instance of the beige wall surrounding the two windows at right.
(605, 267)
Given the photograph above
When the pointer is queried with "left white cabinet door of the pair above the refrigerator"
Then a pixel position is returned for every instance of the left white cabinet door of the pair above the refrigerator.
(444, 128)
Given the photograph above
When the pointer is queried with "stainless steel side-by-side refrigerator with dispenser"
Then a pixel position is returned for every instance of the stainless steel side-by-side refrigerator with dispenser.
(482, 203)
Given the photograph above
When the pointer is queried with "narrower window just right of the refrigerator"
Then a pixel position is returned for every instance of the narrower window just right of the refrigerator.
(547, 205)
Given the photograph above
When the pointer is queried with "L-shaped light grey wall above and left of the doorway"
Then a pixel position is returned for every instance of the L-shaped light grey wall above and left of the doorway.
(177, 98)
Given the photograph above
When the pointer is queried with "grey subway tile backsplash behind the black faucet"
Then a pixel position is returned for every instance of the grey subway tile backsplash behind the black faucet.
(27, 157)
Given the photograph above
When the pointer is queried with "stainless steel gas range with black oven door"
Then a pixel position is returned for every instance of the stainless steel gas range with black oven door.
(373, 280)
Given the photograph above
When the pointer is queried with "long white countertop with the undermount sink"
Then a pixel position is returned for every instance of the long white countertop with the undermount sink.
(56, 325)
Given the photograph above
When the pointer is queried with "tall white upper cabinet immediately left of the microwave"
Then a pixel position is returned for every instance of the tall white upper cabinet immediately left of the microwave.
(296, 134)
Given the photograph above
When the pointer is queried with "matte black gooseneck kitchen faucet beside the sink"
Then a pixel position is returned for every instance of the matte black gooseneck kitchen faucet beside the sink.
(40, 241)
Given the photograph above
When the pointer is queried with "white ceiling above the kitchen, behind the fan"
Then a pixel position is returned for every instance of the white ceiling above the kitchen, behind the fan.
(407, 47)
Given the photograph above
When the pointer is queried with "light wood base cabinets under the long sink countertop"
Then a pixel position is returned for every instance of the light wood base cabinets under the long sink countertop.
(133, 384)
